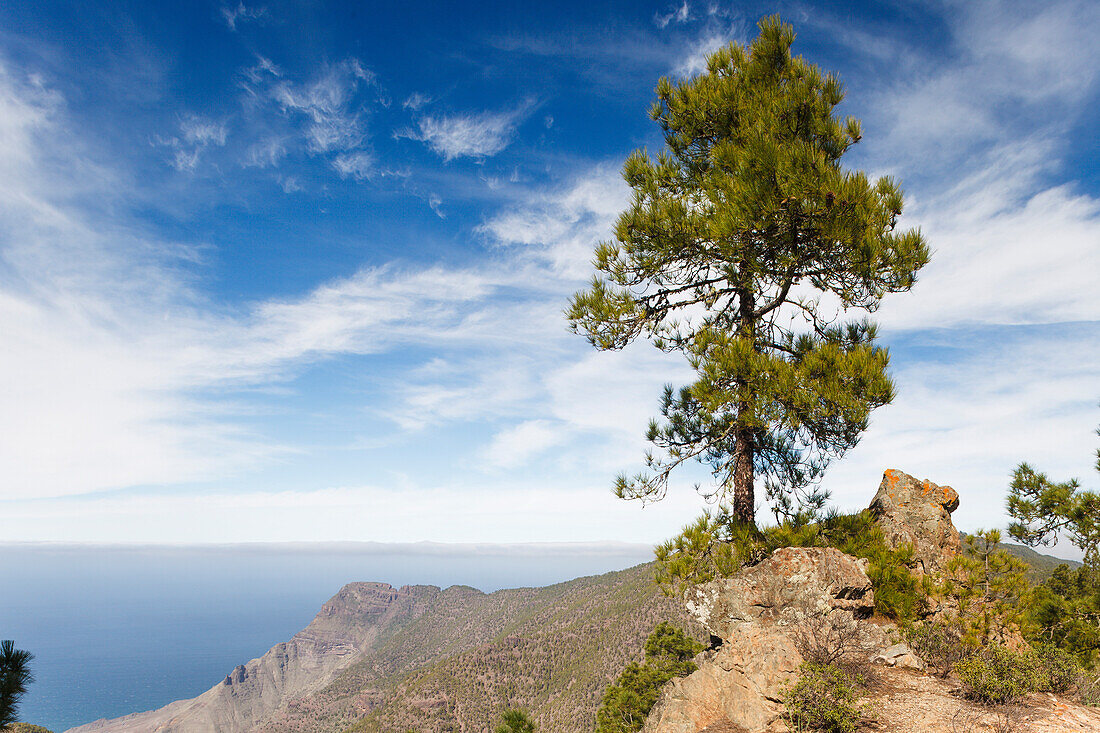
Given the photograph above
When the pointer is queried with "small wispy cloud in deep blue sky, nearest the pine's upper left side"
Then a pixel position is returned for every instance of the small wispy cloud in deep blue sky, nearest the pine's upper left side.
(474, 135)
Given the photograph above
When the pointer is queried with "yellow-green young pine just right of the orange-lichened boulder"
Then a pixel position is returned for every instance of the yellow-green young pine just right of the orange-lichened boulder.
(988, 585)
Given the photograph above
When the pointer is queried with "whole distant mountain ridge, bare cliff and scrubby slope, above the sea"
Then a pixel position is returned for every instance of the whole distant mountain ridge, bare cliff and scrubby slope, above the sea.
(378, 659)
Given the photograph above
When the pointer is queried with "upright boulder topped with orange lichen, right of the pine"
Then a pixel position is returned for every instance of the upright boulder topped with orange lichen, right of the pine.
(919, 513)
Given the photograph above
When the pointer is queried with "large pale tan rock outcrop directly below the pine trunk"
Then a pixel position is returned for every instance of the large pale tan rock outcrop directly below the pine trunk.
(758, 616)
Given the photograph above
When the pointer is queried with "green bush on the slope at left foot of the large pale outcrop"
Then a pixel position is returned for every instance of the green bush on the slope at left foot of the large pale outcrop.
(628, 703)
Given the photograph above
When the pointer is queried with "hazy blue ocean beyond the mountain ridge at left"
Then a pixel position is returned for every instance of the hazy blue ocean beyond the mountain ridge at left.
(117, 630)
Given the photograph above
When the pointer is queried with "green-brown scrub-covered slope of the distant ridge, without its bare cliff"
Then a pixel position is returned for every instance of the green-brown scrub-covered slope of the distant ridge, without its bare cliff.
(549, 651)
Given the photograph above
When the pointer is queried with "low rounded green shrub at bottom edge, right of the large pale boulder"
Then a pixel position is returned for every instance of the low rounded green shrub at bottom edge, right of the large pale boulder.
(824, 699)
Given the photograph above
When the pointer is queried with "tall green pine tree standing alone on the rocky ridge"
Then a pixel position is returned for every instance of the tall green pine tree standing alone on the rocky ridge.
(745, 245)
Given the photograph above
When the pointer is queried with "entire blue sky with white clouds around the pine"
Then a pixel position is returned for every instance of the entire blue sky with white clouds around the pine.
(296, 271)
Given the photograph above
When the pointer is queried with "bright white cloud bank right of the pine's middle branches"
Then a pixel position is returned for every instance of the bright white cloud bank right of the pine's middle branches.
(1006, 251)
